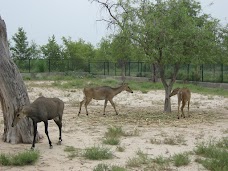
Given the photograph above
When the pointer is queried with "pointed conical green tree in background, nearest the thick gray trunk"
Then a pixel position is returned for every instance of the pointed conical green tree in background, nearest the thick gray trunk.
(20, 47)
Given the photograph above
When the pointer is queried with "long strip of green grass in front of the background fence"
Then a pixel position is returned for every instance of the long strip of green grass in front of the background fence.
(71, 81)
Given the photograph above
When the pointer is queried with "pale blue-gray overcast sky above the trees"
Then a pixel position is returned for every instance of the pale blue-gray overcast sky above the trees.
(72, 18)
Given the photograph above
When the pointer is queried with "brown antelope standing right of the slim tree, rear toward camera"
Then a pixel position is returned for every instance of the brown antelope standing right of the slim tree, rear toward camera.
(183, 95)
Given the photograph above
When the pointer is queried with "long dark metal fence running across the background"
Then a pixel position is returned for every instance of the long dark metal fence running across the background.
(217, 73)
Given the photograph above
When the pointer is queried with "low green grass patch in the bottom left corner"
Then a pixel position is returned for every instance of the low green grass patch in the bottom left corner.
(20, 159)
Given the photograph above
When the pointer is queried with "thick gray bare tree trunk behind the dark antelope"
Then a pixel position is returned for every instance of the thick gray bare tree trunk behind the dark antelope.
(13, 95)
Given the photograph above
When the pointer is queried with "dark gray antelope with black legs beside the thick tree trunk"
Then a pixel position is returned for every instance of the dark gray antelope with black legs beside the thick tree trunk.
(43, 109)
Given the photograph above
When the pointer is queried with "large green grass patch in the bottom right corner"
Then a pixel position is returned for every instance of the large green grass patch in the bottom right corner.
(215, 155)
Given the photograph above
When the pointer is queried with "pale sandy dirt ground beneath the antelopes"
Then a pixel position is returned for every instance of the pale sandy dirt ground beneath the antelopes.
(138, 112)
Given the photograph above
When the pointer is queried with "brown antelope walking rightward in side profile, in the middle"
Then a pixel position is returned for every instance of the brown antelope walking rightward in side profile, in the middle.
(102, 93)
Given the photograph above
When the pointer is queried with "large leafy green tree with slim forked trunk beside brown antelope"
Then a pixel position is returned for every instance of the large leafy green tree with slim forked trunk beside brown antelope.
(173, 33)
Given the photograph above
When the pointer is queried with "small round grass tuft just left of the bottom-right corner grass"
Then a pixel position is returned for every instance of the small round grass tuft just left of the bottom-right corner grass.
(181, 159)
